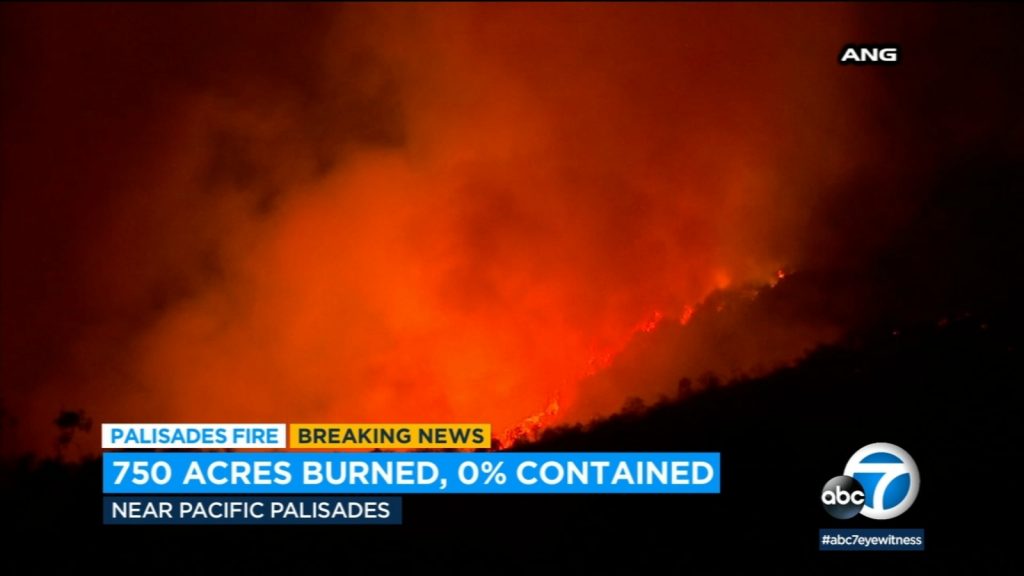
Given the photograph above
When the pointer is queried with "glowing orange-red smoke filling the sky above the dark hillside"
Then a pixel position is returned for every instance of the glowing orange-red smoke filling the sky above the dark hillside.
(418, 213)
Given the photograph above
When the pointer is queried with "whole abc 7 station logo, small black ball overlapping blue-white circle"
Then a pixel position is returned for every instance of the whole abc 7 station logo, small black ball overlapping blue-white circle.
(881, 482)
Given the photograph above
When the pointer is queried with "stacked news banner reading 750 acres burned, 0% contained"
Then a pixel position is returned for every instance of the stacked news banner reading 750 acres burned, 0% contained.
(267, 486)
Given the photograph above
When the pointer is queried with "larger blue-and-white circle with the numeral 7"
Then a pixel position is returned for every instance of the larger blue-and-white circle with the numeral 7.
(889, 478)
